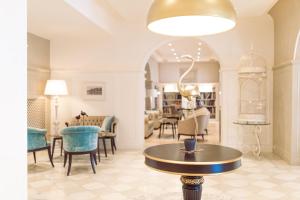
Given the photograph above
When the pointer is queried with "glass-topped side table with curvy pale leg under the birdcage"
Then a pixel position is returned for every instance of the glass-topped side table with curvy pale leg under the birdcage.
(256, 132)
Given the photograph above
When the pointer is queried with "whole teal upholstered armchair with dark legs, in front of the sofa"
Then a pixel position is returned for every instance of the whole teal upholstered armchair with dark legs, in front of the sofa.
(80, 140)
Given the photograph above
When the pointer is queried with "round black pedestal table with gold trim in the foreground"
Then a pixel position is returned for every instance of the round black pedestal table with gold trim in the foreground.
(207, 160)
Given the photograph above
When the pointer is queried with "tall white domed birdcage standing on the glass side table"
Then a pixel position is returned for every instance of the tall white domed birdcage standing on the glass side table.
(253, 88)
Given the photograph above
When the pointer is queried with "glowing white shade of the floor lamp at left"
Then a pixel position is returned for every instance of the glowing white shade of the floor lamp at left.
(56, 88)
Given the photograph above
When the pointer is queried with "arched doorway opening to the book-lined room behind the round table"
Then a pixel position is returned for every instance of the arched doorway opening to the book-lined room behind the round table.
(165, 61)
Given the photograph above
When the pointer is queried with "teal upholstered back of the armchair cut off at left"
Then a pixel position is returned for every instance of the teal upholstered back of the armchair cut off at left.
(36, 138)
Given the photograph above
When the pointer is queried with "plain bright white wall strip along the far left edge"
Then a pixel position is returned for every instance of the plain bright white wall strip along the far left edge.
(13, 148)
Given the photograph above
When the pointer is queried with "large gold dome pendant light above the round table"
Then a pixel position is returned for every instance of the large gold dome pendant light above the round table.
(191, 17)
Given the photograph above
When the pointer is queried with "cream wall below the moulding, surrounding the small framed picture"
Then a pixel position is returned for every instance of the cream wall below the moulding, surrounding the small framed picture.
(121, 100)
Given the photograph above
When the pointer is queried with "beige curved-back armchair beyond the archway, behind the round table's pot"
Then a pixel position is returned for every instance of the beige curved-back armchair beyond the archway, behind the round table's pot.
(187, 127)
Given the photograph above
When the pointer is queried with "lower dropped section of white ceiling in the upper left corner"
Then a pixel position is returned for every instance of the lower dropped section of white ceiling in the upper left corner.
(53, 19)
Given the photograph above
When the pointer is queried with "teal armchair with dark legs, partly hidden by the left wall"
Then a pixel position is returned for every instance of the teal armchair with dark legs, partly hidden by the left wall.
(36, 141)
